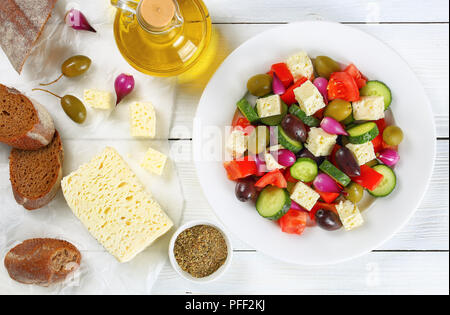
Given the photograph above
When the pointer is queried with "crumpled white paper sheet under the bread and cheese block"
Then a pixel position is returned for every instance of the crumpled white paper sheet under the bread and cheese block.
(100, 273)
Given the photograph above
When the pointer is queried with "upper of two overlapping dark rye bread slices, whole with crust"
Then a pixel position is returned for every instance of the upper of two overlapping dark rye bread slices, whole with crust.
(24, 123)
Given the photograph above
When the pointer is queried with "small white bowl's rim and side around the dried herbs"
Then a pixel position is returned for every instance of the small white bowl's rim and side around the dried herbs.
(219, 272)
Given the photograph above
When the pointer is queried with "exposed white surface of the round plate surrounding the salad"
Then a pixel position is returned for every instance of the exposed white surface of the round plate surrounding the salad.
(411, 110)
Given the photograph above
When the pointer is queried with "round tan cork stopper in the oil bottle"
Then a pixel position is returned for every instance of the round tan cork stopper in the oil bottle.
(157, 13)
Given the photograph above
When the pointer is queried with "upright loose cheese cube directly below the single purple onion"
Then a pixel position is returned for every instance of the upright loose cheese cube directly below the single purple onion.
(143, 120)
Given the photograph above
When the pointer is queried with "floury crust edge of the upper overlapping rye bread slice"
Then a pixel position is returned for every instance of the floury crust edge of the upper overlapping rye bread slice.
(41, 133)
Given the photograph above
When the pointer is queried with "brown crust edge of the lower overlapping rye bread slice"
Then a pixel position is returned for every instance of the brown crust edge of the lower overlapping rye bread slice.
(37, 203)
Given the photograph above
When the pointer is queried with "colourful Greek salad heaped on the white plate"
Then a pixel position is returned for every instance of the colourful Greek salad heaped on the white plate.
(308, 140)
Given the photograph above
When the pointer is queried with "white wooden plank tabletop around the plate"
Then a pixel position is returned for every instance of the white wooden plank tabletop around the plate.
(414, 261)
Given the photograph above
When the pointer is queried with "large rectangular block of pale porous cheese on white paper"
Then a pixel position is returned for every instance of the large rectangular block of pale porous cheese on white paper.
(110, 201)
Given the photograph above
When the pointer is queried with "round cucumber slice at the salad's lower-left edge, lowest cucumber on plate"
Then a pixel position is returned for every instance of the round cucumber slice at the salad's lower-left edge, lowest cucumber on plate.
(273, 202)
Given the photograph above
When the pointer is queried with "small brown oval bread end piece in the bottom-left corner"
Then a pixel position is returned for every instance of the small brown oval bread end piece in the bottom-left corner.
(42, 261)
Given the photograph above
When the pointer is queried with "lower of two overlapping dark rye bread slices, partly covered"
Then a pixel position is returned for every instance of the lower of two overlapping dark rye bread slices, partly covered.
(36, 175)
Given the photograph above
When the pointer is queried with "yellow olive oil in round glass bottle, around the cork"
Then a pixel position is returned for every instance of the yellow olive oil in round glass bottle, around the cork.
(164, 53)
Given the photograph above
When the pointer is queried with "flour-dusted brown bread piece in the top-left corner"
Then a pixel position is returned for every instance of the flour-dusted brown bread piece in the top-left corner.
(21, 24)
